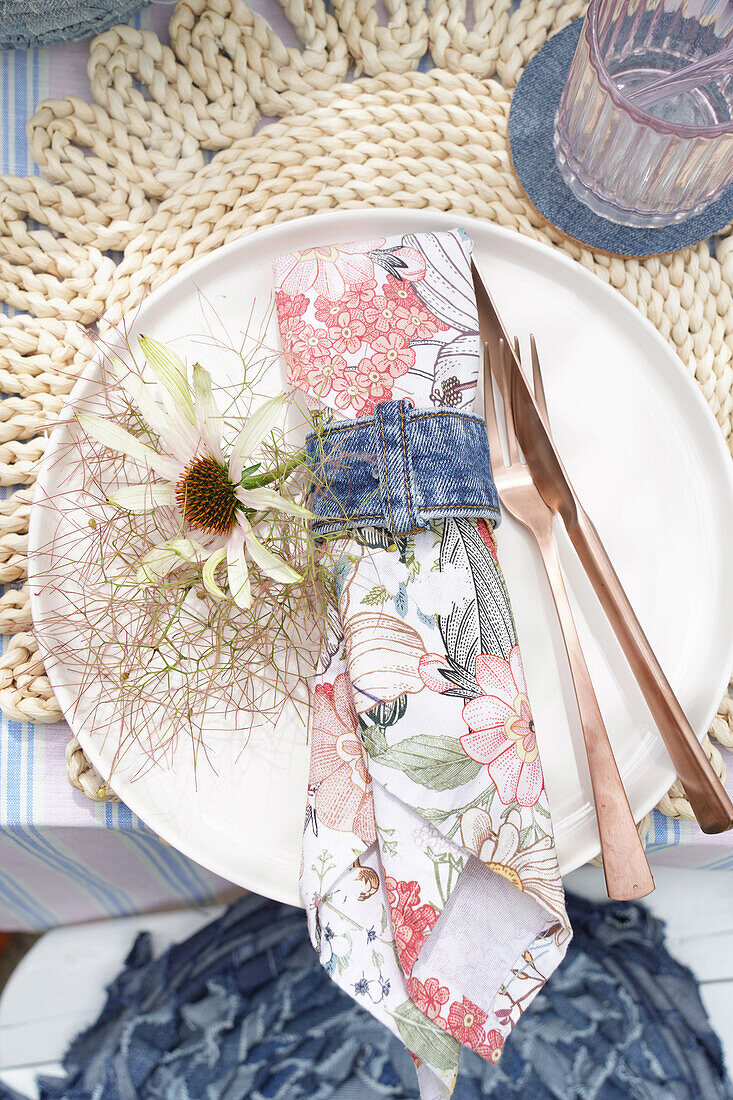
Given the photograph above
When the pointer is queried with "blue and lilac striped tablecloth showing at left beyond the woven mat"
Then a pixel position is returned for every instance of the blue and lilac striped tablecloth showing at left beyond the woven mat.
(62, 857)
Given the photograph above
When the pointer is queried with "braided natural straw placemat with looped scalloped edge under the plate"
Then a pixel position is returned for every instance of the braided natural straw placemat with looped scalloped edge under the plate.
(129, 173)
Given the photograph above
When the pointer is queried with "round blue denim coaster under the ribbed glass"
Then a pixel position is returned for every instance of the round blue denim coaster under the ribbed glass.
(531, 130)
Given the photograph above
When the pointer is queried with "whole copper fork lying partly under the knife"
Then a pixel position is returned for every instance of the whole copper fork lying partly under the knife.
(627, 871)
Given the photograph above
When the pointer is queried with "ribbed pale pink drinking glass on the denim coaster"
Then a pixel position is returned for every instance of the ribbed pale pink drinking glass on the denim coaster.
(660, 166)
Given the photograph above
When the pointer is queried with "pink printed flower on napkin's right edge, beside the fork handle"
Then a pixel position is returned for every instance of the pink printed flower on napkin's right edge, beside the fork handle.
(502, 731)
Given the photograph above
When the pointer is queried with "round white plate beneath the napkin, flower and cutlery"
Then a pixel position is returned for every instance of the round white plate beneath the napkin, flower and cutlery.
(647, 458)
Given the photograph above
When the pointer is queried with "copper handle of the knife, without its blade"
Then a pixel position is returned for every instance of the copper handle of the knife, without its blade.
(704, 789)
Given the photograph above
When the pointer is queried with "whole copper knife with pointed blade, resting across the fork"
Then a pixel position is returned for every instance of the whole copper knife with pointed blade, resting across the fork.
(704, 789)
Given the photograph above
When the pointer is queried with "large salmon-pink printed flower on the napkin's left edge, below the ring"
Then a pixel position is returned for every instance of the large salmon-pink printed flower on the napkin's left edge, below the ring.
(338, 767)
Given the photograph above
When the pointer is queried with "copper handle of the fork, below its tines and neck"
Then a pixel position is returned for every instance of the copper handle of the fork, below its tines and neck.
(627, 871)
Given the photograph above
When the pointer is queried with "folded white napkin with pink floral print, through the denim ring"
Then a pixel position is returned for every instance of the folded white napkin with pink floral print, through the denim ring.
(430, 873)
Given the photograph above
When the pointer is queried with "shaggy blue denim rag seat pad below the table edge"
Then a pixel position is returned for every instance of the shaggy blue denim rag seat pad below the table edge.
(245, 1010)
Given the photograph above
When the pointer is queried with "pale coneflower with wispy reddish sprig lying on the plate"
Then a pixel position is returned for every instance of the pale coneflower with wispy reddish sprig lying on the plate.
(161, 651)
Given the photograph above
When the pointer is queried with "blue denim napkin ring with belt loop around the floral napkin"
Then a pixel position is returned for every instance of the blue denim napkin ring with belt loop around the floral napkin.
(401, 469)
